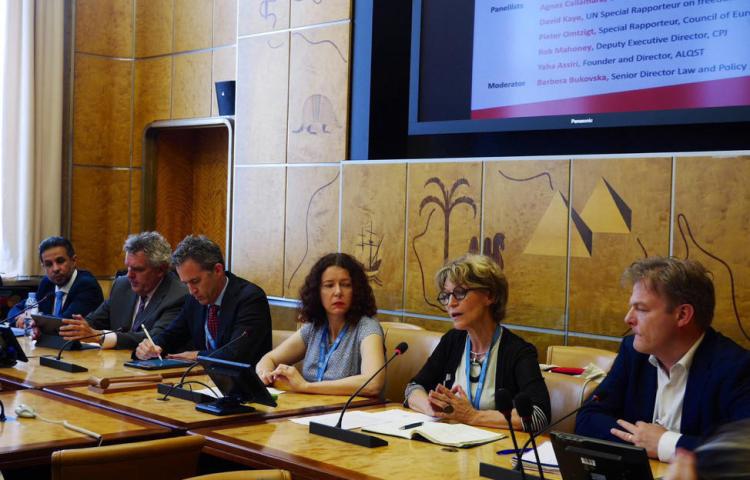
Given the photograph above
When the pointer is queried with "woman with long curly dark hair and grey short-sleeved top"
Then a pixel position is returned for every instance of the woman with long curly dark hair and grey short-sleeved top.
(340, 342)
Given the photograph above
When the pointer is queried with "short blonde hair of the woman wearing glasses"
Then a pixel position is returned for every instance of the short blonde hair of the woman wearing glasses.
(477, 271)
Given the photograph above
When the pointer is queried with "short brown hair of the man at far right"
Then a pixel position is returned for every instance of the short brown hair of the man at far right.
(679, 281)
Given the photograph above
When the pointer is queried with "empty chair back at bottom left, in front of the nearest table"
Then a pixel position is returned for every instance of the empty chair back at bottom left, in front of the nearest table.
(169, 458)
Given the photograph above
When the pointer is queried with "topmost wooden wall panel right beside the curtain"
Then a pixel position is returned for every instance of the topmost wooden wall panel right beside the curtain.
(104, 27)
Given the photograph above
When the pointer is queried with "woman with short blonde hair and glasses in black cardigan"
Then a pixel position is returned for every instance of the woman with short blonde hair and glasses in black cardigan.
(479, 356)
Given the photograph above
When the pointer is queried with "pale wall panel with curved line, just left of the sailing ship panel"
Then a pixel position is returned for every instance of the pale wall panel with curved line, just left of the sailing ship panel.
(312, 218)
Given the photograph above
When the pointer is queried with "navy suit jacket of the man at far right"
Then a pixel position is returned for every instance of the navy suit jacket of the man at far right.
(717, 391)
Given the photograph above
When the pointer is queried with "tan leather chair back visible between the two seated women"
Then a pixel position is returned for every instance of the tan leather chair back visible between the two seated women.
(401, 370)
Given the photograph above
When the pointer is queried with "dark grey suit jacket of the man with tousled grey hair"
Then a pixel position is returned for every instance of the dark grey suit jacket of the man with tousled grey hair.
(117, 311)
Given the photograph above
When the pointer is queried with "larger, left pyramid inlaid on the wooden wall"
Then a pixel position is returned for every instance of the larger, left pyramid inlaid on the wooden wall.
(550, 236)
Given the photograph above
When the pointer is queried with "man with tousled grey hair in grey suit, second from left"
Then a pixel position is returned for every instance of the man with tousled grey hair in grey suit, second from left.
(149, 296)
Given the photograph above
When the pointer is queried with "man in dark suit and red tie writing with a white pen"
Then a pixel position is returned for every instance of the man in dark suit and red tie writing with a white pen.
(220, 308)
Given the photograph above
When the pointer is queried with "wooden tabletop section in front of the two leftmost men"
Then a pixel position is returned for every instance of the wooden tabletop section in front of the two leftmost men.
(101, 363)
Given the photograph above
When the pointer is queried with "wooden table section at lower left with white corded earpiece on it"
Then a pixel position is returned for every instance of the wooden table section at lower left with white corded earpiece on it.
(31, 441)
